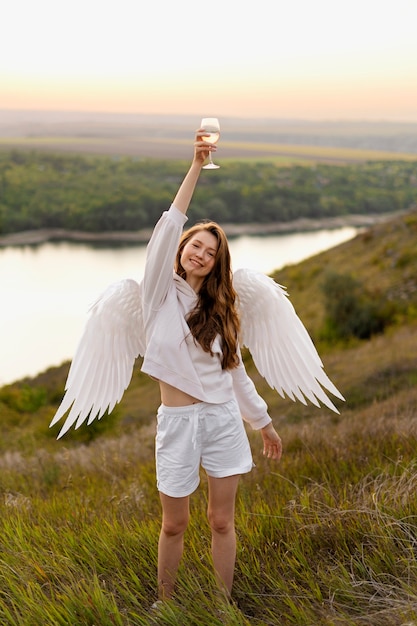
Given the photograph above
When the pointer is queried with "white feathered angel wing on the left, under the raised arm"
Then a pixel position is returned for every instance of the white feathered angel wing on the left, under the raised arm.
(102, 367)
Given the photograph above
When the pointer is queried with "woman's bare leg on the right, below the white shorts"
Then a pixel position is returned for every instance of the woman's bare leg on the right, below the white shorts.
(221, 514)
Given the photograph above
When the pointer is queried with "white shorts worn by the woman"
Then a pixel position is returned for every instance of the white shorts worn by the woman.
(211, 434)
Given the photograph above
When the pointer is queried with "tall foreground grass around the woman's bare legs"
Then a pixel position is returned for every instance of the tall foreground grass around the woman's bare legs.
(328, 536)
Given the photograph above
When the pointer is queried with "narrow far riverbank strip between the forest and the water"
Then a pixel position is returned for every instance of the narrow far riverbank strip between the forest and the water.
(37, 237)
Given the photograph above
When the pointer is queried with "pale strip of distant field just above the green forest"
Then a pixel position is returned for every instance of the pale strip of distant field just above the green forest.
(160, 148)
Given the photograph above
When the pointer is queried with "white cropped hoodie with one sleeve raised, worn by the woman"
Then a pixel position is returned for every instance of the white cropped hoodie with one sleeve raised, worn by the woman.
(172, 355)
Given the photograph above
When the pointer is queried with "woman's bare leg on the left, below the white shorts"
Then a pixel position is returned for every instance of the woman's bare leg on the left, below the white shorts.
(175, 515)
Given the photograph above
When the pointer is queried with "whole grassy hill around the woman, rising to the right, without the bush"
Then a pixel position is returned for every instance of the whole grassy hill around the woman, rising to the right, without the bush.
(328, 536)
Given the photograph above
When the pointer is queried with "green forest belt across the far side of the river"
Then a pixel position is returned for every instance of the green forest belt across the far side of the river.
(102, 194)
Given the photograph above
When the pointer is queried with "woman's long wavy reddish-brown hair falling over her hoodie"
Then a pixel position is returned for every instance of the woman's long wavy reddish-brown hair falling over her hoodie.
(215, 312)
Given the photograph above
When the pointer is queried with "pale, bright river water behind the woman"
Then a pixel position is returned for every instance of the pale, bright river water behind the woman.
(46, 290)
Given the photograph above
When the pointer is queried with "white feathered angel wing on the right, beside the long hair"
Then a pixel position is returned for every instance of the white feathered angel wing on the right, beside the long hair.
(279, 343)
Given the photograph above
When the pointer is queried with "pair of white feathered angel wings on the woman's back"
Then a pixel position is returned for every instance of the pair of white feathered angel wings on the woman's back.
(114, 337)
